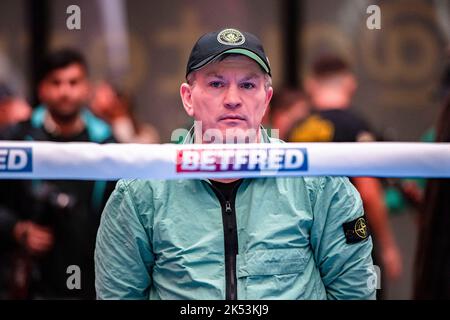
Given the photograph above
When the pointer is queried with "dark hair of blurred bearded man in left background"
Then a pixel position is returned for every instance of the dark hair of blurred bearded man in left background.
(60, 59)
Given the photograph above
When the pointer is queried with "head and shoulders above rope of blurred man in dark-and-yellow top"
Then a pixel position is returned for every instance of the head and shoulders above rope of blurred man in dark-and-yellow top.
(331, 87)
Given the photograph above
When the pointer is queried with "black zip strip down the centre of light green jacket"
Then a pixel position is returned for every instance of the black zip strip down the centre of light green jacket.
(230, 241)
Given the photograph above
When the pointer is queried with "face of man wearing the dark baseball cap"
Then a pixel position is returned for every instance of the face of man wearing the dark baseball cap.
(228, 95)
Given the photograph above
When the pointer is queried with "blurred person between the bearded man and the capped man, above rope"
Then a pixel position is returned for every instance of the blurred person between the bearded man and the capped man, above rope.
(115, 108)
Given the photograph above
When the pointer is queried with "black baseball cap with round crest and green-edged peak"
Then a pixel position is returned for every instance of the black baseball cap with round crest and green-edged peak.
(213, 45)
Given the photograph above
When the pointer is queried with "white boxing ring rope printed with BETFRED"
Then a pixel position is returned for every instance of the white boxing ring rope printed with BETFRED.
(91, 161)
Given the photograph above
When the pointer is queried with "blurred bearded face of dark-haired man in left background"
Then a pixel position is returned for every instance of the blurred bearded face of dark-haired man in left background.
(64, 91)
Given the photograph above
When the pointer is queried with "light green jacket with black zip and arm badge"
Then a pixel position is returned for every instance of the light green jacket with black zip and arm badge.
(164, 240)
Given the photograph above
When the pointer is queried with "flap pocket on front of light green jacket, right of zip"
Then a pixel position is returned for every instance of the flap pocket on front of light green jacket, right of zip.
(271, 274)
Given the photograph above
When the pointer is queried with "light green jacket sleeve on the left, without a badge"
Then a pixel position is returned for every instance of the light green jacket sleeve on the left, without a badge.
(123, 254)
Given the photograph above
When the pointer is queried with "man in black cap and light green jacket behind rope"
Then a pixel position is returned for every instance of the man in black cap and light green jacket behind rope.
(267, 238)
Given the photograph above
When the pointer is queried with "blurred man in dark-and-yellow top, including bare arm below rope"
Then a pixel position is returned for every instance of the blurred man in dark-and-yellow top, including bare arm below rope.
(331, 88)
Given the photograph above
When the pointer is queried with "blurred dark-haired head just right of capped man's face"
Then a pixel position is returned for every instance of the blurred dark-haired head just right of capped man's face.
(287, 107)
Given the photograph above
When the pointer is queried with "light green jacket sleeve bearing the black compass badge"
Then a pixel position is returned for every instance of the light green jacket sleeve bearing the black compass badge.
(346, 268)
